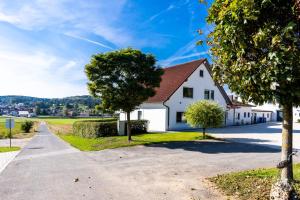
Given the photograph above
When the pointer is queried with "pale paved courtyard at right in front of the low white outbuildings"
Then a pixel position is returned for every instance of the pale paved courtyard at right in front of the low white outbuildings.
(265, 134)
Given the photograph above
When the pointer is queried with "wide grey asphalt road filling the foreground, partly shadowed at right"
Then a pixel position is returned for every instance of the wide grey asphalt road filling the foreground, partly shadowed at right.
(48, 167)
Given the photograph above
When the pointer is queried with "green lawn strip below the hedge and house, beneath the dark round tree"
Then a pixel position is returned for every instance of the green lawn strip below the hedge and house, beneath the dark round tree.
(86, 144)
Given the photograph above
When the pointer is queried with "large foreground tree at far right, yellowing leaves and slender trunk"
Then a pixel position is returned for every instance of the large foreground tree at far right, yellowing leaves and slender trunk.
(256, 49)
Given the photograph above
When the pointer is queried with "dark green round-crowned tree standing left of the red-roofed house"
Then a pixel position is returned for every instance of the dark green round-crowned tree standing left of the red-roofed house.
(123, 79)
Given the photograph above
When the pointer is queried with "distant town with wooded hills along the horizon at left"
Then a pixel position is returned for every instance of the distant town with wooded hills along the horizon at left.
(24, 106)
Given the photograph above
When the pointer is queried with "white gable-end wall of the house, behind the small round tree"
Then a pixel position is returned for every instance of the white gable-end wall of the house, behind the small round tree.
(177, 103)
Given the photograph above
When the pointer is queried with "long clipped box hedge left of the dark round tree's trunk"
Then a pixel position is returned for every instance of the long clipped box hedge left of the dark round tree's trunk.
(94, 129)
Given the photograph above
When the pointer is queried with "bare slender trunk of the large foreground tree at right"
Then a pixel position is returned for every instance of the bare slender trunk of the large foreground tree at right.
(287, 142)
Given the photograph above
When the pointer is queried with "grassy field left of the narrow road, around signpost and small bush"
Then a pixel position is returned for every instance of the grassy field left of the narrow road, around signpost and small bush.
(16, 131)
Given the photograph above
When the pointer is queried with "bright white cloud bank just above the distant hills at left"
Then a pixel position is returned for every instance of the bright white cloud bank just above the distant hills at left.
(35, 75)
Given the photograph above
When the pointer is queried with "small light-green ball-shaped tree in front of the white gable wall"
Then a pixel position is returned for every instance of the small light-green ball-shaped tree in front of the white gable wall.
(204, 114)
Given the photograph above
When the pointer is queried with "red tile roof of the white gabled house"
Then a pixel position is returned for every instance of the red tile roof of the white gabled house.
(174, 77)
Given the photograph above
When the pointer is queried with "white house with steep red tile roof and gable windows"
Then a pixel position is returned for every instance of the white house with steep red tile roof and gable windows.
(181, 85)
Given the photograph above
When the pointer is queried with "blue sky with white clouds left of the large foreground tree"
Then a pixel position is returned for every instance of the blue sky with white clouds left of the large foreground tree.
(45, 44)
